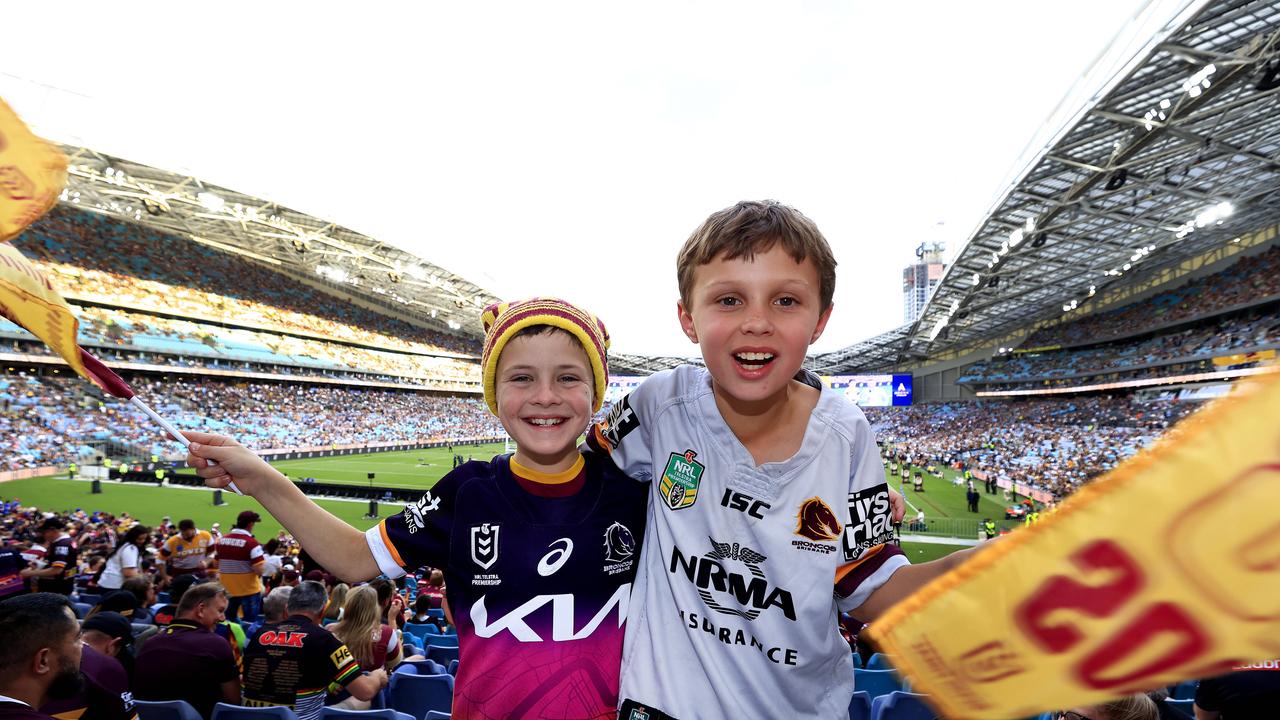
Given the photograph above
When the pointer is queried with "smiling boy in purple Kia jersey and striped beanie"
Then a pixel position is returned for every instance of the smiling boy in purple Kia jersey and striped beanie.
(540, 549)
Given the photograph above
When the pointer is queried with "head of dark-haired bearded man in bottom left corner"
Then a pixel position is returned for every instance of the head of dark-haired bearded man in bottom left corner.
(40, 655)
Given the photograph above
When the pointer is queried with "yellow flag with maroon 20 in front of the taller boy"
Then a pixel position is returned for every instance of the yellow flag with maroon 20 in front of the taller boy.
(1165, 569)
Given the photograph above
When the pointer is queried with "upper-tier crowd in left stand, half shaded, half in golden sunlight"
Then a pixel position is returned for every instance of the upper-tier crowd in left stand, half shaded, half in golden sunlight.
(100, 259)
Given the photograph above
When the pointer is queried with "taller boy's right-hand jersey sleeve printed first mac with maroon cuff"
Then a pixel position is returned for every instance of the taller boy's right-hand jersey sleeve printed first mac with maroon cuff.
(871, 554)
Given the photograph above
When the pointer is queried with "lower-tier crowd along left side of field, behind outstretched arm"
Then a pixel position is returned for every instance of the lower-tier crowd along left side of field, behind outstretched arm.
(56, 421)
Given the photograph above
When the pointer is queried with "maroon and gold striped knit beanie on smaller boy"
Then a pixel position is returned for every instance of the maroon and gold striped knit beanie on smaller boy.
(502, 321)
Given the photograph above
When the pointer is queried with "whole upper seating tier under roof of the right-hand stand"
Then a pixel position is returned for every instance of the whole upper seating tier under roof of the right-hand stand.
(1226, 320)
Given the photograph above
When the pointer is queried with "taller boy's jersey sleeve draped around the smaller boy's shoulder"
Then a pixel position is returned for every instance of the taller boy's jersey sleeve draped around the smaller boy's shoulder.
(623, 435)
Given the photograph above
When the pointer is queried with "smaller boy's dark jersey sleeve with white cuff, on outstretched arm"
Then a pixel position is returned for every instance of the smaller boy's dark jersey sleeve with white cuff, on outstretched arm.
(419, 535)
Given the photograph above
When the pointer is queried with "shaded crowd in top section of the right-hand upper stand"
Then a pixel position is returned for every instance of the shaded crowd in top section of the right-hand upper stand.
(1246, 282)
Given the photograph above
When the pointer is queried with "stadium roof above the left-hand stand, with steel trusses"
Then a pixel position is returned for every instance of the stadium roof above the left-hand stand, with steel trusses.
(267, 233)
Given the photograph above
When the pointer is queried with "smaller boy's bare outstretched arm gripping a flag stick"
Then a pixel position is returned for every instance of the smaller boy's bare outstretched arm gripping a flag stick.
(336, 545)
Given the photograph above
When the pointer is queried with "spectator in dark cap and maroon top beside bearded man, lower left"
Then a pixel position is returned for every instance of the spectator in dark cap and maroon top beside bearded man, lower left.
(106, 692)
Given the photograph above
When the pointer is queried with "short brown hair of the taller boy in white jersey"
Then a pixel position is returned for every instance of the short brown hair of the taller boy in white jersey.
(753, 227)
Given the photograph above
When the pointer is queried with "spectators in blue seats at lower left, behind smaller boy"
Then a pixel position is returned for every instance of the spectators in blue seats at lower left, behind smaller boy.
(171, 630)
